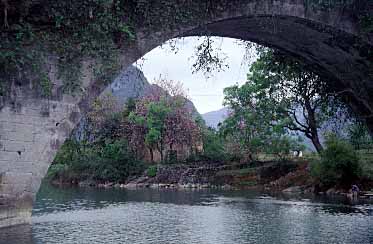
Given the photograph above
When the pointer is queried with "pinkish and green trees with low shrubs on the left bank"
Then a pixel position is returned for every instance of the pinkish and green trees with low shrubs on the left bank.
(119, 143)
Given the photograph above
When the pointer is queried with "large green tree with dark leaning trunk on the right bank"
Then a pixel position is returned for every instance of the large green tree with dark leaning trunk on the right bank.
(281, 93)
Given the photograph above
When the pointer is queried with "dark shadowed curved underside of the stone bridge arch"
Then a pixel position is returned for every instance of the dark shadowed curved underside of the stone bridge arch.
(343, 59)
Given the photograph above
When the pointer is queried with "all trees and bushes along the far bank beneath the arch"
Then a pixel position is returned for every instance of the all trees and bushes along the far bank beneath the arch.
(281, 103)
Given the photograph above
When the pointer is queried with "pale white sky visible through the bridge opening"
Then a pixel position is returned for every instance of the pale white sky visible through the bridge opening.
(205, 93)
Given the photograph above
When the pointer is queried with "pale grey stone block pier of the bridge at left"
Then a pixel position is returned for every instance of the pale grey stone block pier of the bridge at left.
(29, 139)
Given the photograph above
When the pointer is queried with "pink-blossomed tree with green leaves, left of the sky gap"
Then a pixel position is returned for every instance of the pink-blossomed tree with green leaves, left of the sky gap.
(164, 119)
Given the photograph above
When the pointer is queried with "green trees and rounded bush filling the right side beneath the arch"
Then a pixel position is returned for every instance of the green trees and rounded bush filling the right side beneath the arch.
(282, 100)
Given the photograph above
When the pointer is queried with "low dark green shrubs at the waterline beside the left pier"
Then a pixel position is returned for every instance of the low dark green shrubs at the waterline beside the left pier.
(105, 161)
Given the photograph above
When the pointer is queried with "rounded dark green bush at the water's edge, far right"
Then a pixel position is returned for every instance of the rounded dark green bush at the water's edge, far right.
(339, 164)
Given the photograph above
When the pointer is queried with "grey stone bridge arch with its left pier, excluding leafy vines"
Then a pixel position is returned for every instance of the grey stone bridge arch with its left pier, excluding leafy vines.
(331, 40)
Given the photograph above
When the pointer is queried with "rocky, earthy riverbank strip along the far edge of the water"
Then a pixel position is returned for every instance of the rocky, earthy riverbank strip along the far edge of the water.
(289, 177)
